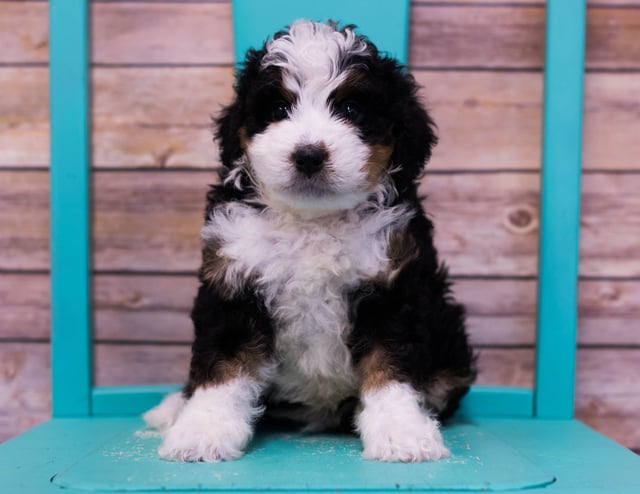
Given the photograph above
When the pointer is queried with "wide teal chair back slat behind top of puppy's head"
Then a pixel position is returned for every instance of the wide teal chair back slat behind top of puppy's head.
(385, 22)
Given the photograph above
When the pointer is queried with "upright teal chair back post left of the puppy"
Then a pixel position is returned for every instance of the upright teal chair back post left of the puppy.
(70, 211)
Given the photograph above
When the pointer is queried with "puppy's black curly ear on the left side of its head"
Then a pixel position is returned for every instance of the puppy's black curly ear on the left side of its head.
(232, 118)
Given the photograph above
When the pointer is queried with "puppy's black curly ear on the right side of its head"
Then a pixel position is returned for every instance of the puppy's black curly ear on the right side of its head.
(414, 131)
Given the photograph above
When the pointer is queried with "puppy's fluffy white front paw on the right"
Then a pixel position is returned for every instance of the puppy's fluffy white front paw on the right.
(394, 426)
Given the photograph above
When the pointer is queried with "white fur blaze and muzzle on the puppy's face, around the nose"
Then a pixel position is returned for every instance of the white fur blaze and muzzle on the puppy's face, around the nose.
(310, 58)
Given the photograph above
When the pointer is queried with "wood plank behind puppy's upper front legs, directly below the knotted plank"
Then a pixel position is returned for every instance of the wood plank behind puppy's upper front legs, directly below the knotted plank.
(156, 308)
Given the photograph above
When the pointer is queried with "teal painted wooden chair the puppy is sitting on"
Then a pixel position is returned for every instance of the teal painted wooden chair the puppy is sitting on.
(503, 439)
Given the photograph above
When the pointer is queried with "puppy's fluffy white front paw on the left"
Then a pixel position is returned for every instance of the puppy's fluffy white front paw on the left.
(216, 423)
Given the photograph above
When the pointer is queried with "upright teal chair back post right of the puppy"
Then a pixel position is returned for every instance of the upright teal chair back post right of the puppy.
(560, 208)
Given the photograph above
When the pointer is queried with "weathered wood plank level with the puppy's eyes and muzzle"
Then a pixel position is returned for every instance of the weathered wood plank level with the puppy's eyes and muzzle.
(144, 117)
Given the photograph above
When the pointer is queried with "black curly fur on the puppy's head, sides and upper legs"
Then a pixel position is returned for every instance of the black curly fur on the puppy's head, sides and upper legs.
(415, 319)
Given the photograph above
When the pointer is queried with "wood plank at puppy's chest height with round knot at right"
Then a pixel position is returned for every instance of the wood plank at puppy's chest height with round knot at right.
(486, 224)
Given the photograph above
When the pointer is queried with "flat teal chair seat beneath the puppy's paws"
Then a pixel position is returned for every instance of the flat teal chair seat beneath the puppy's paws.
(48, 456)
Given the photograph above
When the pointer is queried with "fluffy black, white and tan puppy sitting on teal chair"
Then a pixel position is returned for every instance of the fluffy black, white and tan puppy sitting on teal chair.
(322, 299)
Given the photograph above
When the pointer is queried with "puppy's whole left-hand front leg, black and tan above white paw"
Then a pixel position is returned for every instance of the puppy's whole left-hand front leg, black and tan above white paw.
(230, 366)
